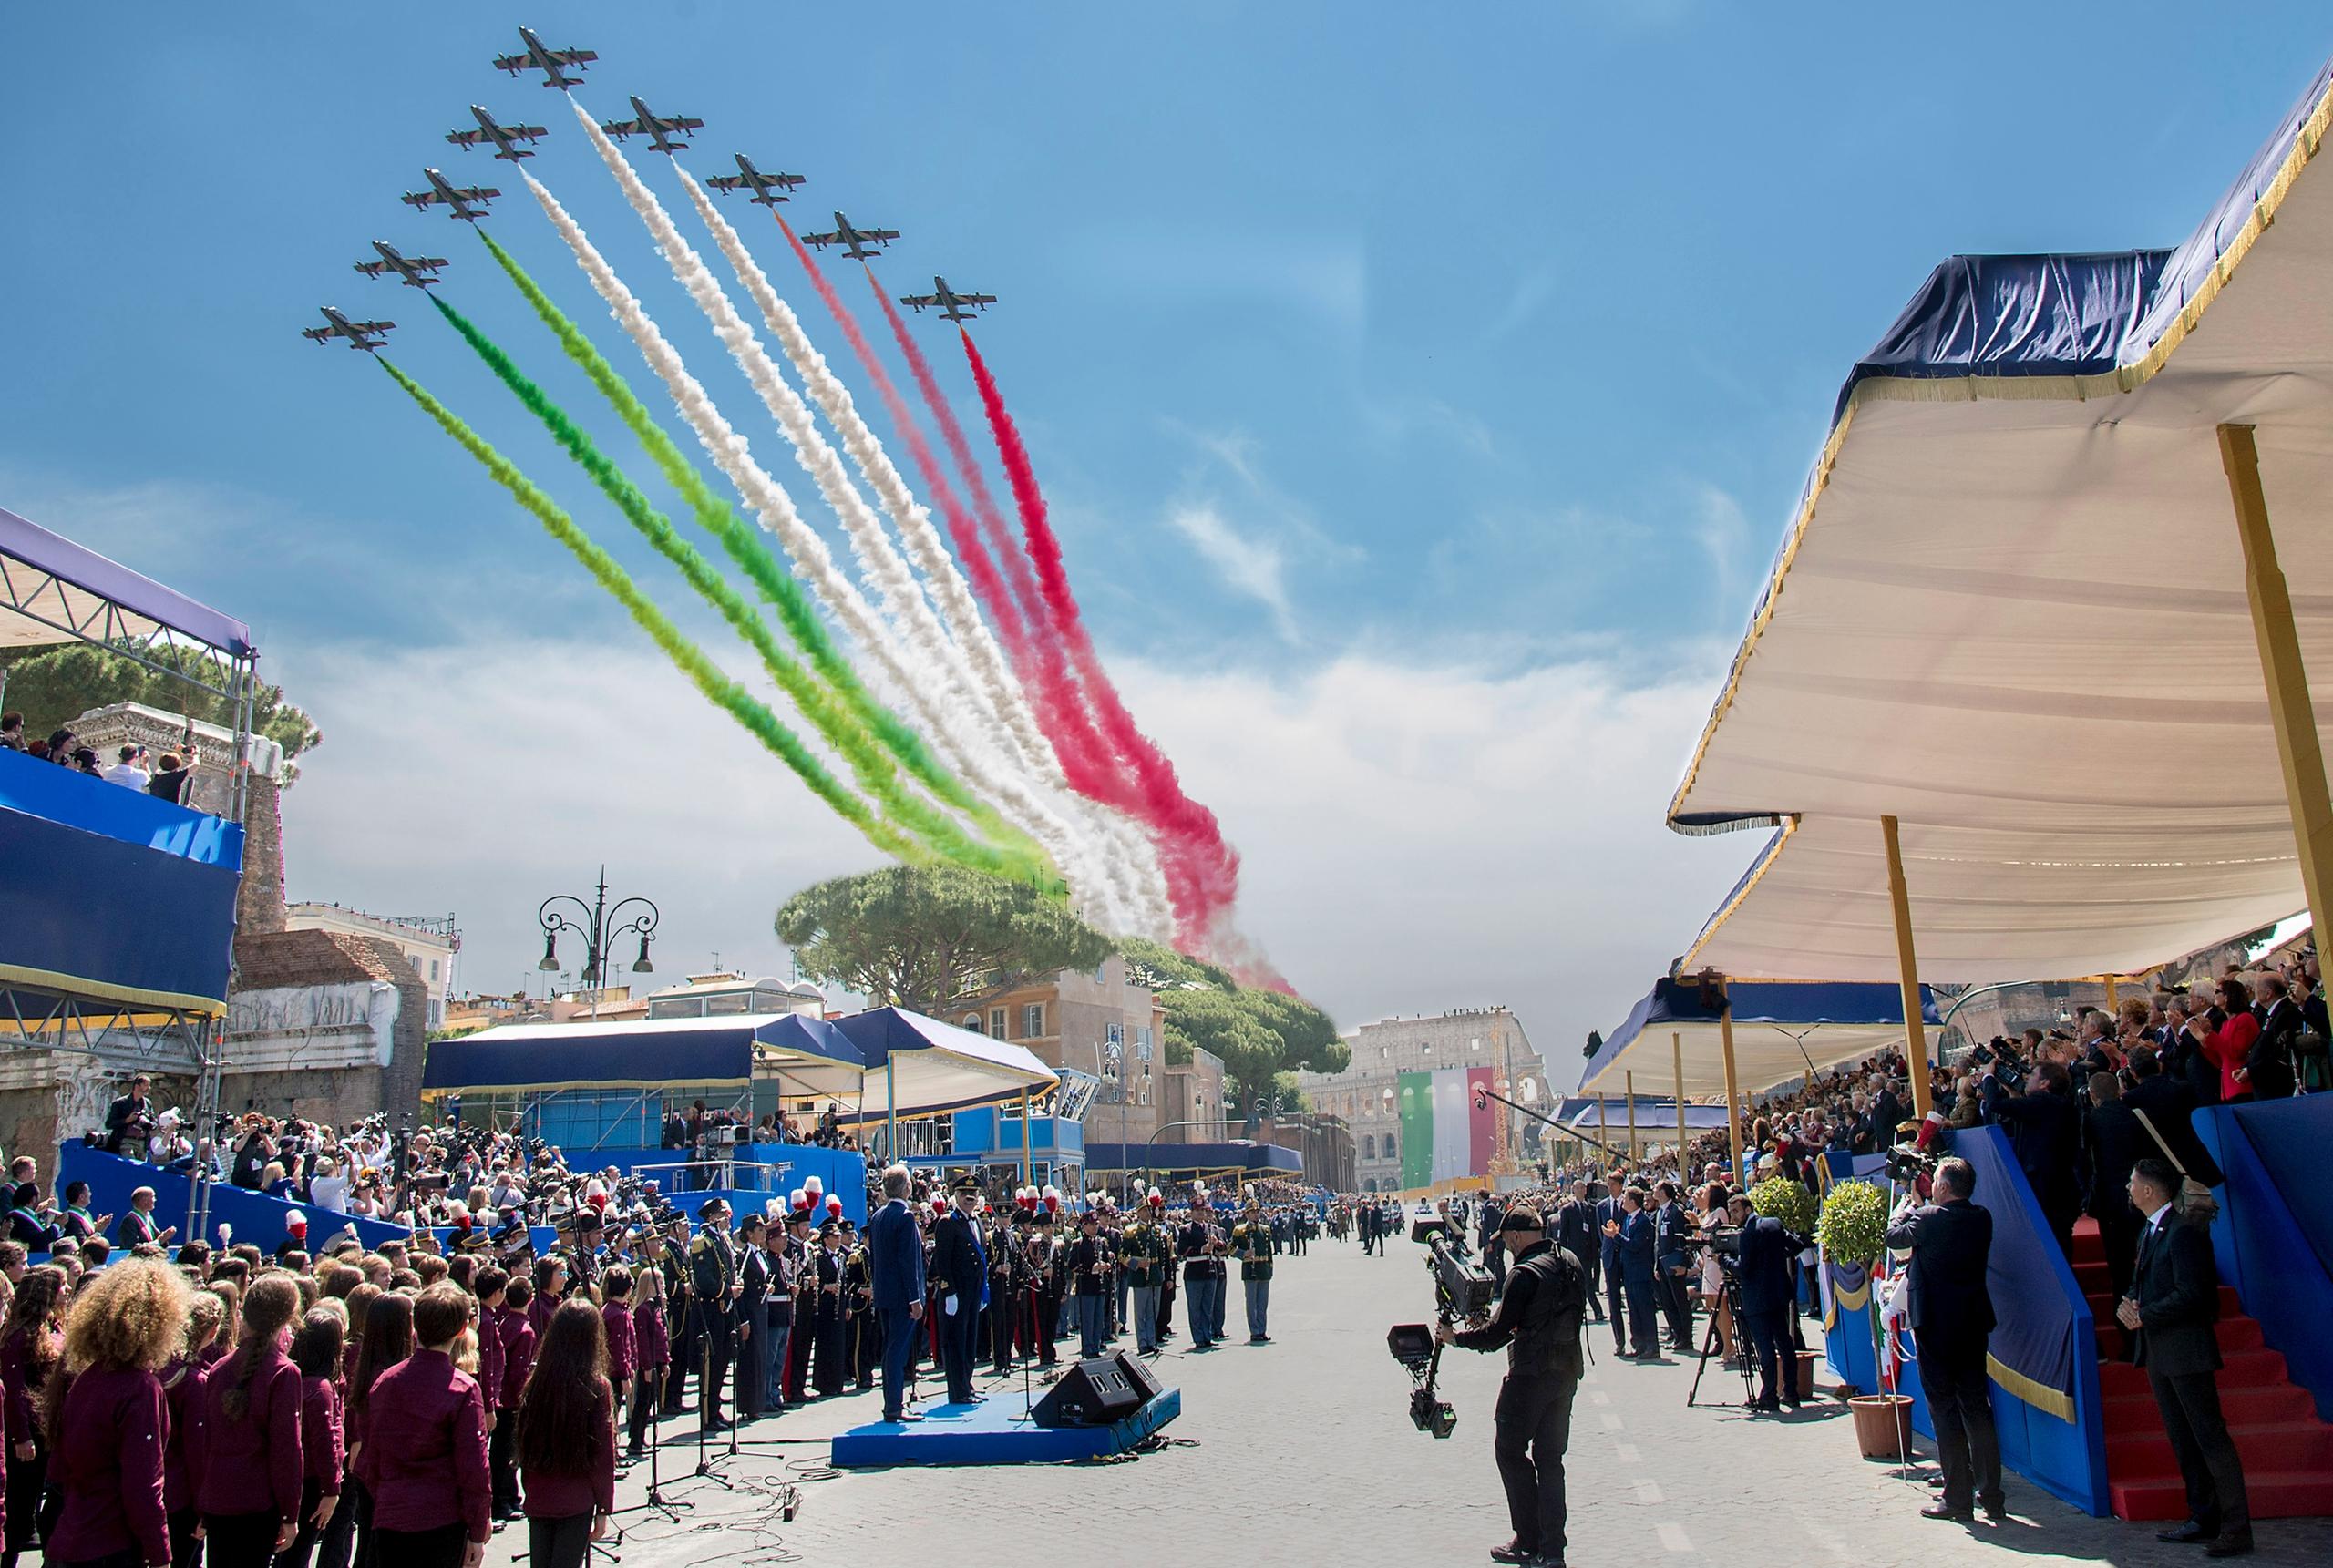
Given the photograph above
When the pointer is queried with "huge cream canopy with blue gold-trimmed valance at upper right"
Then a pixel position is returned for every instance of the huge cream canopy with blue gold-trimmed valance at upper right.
(2017, 615)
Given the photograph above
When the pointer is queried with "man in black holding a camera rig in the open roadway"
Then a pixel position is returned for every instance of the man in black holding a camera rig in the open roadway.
(1539, 1322)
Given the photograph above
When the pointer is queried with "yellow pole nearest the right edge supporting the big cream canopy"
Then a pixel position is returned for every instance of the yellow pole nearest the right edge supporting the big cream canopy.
(2281, 666)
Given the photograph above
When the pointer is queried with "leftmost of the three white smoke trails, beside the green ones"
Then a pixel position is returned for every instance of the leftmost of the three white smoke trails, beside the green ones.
(813, 561)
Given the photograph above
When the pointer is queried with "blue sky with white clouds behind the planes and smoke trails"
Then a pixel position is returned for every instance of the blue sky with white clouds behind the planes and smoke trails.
(1480, 349)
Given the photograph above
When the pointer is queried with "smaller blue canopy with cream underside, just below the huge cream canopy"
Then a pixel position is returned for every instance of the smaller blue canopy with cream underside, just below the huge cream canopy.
(1781, 1030)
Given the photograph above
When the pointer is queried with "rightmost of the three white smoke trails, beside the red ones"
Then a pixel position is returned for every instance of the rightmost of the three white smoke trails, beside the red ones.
(979, 659)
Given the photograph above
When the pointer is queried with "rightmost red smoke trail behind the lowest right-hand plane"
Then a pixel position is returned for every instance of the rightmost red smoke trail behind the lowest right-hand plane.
(1203, 869)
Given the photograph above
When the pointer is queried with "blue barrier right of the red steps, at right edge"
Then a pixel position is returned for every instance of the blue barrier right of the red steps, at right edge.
(2264, 1242)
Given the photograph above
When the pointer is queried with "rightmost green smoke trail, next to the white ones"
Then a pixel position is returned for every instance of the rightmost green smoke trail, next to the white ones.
(743, 545)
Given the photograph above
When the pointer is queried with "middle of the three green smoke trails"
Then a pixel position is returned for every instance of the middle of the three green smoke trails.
(869, 762)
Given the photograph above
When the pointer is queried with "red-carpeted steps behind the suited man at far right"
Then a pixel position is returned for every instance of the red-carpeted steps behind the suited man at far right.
(2288, 1450)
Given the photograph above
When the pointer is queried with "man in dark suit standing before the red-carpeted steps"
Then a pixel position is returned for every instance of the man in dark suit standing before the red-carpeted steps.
(2173, 1312)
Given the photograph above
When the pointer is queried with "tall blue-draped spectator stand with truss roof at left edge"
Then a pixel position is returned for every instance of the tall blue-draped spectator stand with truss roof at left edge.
(118, 911)
